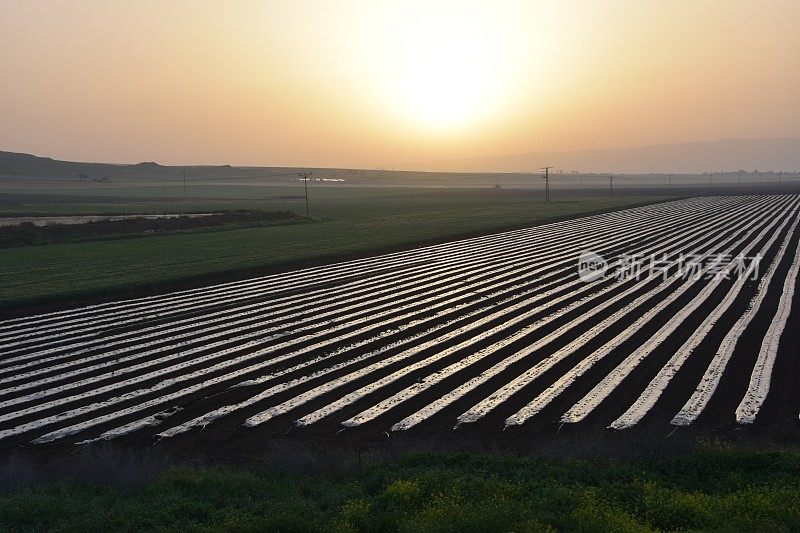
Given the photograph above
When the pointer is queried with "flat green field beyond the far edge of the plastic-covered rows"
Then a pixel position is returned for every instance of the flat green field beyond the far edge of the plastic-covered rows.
(346, 223)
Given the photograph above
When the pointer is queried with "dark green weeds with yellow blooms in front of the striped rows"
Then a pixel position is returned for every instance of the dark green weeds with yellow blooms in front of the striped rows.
(710, 489)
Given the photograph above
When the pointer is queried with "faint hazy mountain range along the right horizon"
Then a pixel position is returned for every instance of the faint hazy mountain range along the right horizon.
(694, 157)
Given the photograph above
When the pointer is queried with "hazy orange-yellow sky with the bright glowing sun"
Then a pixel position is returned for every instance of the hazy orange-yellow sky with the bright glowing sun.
(368, 83)
